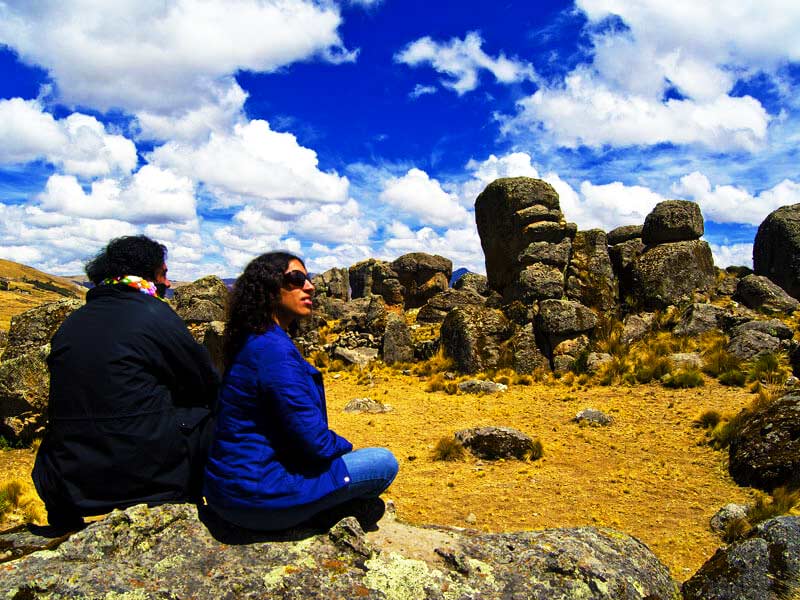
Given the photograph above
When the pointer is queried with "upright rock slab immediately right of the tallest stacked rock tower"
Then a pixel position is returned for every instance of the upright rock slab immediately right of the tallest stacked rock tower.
(590, 277)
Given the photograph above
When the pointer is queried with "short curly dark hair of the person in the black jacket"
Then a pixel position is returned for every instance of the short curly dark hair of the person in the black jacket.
(127, 255)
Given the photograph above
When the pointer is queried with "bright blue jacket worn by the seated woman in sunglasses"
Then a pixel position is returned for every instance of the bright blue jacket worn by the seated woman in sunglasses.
(272, 446)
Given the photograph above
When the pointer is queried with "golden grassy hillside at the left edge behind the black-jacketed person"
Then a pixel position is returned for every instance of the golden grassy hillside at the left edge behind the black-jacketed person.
(23, 287)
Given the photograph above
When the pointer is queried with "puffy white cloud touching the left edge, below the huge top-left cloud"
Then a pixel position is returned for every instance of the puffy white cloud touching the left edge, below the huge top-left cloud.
(78, 144)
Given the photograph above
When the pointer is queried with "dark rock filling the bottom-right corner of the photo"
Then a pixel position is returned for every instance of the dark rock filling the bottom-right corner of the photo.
(762, 566)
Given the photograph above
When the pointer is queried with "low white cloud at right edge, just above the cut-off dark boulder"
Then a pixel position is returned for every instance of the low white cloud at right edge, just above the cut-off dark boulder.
(731, 204)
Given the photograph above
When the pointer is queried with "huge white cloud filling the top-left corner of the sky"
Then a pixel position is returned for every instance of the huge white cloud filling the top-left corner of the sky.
(164, 58)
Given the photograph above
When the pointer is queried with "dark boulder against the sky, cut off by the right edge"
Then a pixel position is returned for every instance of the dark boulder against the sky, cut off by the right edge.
(776, 249)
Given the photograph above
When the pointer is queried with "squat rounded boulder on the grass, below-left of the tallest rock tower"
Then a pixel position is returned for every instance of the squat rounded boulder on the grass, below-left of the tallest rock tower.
(473, 335)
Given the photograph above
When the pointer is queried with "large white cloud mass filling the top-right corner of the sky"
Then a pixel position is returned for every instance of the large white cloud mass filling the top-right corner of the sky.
(668, 76)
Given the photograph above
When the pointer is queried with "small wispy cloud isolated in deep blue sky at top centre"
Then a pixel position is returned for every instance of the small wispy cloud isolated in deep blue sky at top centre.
(461, 60)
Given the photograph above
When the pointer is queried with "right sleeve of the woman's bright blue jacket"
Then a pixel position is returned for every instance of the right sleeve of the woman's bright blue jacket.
(298, 408)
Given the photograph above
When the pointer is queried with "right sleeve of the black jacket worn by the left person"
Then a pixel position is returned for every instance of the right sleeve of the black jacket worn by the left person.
(195, 381)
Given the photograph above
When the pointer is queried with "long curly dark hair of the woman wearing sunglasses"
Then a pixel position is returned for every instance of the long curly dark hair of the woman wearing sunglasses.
(253, 300)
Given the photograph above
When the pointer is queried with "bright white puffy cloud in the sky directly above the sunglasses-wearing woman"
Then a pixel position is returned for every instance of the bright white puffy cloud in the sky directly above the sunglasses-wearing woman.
(254, 164)
